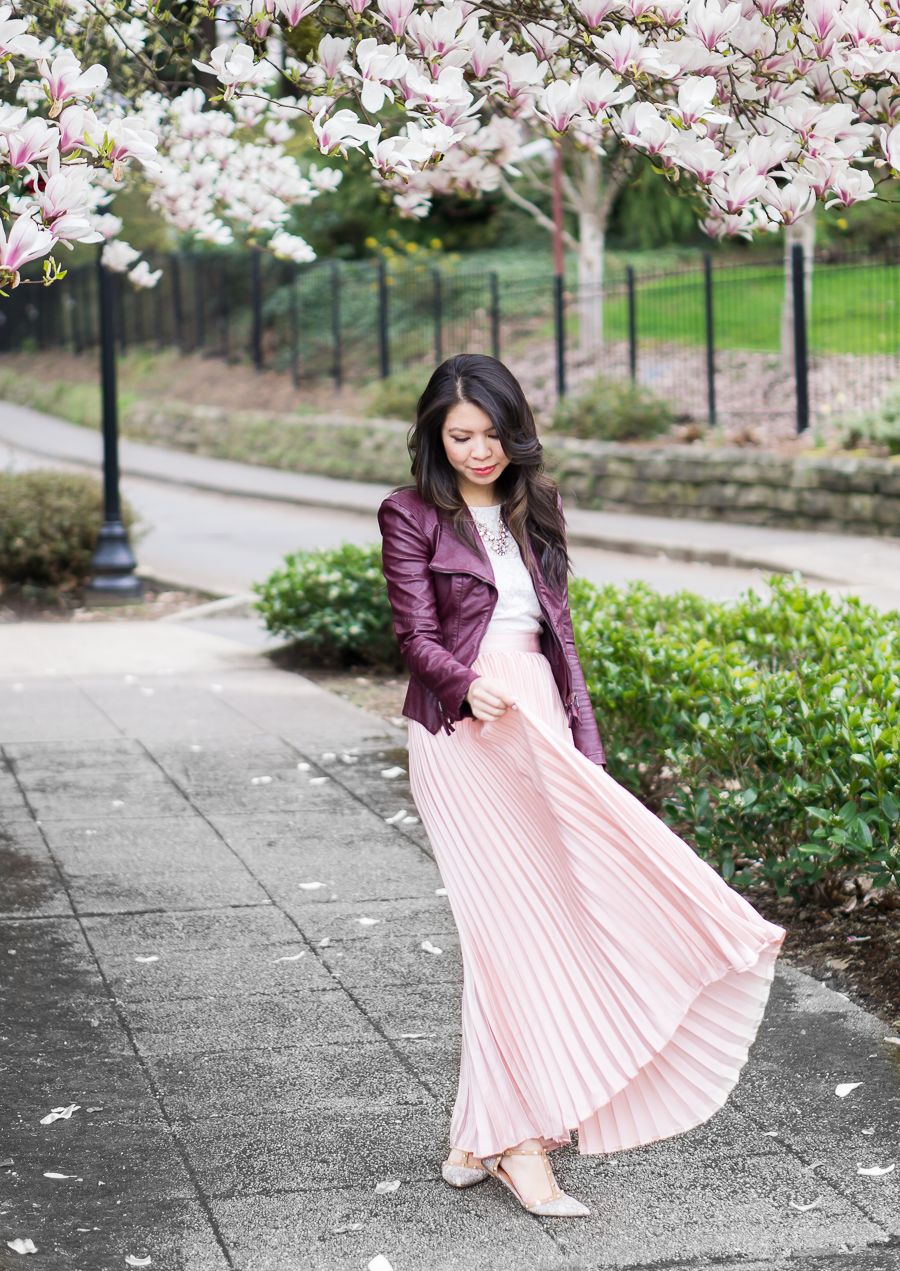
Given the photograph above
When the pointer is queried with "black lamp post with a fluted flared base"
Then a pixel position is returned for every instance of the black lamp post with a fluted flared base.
(114, 562)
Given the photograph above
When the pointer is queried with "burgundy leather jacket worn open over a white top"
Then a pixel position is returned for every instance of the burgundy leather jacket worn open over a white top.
(442, 595)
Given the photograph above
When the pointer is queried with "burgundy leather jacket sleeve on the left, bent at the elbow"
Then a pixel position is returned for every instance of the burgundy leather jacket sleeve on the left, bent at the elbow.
(411, 593)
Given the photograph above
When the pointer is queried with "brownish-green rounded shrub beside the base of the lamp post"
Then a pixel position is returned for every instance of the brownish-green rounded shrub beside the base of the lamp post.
(49, 526)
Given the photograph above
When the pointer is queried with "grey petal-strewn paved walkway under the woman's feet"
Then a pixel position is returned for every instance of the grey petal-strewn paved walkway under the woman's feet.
(250, 1061)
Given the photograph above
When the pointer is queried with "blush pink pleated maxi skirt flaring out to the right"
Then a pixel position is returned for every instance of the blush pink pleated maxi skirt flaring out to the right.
(613, 982)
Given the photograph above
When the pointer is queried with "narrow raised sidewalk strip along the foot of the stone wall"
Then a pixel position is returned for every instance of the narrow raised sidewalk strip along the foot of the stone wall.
(859, 562)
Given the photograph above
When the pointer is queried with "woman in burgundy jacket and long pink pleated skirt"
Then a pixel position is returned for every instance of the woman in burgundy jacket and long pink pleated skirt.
(613, 982)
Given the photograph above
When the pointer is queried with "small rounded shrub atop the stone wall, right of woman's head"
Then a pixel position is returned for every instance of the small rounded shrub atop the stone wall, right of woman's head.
(613, 411)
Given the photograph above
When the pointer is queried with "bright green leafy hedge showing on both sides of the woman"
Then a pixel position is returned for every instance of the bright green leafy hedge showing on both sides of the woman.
(766, 731)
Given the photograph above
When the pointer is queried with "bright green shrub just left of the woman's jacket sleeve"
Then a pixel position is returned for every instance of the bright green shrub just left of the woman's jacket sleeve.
(334, 604)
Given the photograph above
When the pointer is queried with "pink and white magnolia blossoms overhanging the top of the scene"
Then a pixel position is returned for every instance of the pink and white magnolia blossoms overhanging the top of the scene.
(757, 109)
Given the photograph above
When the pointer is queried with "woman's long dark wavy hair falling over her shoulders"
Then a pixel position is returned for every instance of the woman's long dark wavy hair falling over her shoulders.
(529, 498)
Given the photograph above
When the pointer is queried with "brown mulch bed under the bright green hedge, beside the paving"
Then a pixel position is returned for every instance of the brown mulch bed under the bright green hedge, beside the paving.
(856, 953)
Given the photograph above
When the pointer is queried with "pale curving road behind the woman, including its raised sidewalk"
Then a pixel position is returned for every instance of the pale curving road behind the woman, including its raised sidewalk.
(229, 524)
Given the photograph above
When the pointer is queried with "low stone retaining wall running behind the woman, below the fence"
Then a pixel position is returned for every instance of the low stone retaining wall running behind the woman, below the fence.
(841, 494)
